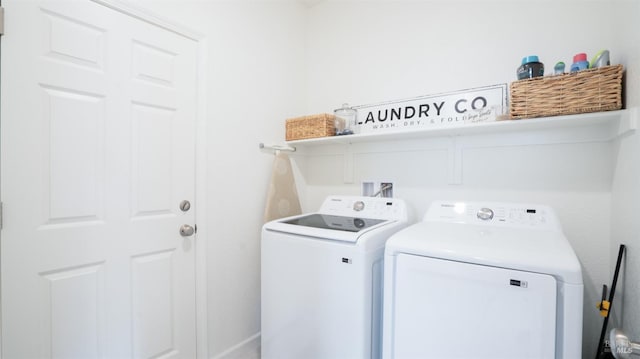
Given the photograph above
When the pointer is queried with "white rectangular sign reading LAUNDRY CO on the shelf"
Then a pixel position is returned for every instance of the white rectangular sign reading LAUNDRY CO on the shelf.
(442, 110)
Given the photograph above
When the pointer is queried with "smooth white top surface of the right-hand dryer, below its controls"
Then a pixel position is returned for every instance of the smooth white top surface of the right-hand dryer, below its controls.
(540, 251)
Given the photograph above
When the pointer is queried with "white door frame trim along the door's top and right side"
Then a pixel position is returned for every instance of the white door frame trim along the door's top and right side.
(148, 16)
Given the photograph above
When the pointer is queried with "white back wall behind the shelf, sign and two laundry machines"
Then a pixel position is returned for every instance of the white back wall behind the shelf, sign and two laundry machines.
(367, 52)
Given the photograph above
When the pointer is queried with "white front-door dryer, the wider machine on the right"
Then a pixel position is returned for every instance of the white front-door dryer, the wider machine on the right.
(482, 280)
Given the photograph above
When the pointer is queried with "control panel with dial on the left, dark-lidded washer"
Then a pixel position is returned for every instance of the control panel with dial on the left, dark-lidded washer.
(365, 207)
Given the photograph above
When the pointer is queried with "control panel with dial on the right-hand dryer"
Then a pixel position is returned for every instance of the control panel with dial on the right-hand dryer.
(493, 213)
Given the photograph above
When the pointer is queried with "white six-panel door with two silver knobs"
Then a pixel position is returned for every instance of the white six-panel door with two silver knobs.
(98, 141)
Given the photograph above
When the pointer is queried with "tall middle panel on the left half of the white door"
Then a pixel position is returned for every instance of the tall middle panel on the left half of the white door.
(73, 193)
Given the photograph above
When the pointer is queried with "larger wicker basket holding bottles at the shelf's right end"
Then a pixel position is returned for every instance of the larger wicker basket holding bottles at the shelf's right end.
(592, 90)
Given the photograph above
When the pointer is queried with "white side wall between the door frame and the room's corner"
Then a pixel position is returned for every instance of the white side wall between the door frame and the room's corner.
(255, 79)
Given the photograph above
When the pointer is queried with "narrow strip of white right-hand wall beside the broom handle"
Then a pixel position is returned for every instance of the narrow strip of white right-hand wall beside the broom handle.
(626, 192)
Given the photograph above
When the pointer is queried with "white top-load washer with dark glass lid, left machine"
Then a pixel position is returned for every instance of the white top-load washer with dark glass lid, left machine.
(322, 279)
